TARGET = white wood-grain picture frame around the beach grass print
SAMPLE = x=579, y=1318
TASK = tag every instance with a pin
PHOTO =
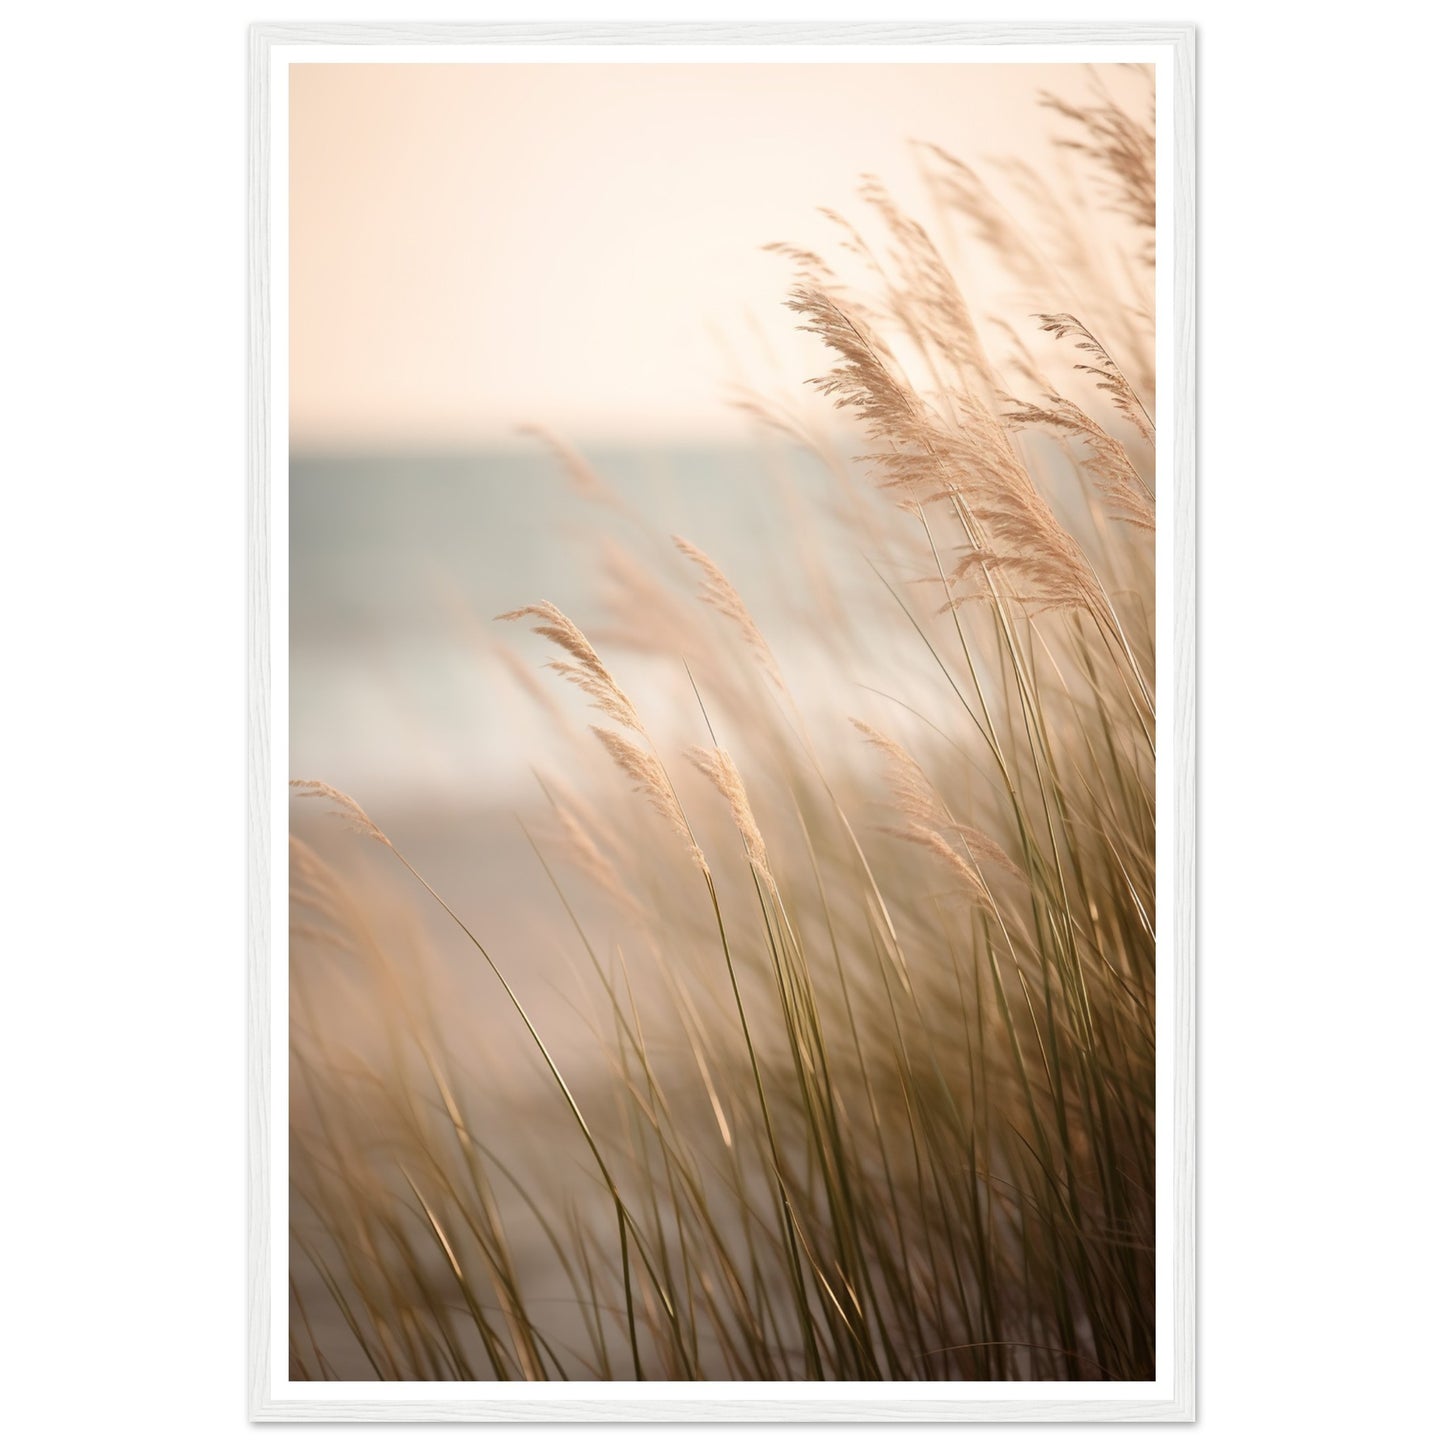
x=729, y=1402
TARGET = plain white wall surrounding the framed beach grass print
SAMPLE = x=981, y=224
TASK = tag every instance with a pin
x=124, y=571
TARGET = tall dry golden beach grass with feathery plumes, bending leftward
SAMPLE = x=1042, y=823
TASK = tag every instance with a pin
x=871, y=1083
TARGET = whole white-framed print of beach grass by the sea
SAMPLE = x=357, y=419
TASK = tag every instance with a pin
x=722, y=723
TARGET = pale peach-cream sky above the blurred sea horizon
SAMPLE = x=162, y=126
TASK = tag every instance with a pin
x=478, y=248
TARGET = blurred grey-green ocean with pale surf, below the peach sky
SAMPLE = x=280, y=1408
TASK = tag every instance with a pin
x=400, y=566
